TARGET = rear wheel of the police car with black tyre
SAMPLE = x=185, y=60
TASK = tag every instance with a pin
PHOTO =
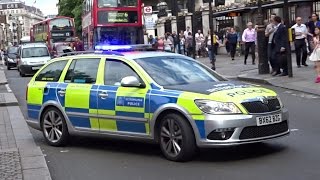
x=54, y=127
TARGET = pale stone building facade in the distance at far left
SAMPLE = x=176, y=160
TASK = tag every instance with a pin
x=17, y=20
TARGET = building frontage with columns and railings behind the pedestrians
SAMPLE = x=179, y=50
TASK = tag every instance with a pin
x=234, y=13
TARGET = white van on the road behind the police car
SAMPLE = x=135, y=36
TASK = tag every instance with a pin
x=31, y=57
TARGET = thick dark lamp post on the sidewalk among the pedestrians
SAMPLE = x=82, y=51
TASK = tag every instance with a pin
x=262, y=46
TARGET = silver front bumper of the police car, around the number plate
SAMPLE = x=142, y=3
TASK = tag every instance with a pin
x=241, y=129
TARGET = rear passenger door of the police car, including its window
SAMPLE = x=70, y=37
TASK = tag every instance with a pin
x=81, y=93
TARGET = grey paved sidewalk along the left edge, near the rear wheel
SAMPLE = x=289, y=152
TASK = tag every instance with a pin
x=20, y=158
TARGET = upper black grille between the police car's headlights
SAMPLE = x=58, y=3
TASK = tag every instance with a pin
x=260, y=107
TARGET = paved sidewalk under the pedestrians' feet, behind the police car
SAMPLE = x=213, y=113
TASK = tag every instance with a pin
x=302, y=80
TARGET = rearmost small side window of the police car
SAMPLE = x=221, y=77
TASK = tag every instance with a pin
x=52, y=72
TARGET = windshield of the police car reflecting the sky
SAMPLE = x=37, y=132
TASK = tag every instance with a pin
x=171, y=71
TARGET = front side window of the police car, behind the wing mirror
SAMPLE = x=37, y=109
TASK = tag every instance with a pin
x=115, y=71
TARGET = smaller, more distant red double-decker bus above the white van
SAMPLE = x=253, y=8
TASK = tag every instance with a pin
x=53, y=30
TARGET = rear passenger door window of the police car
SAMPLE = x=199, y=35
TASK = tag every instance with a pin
x=83, y=71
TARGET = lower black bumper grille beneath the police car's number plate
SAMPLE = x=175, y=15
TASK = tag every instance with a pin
x=263, y=131
